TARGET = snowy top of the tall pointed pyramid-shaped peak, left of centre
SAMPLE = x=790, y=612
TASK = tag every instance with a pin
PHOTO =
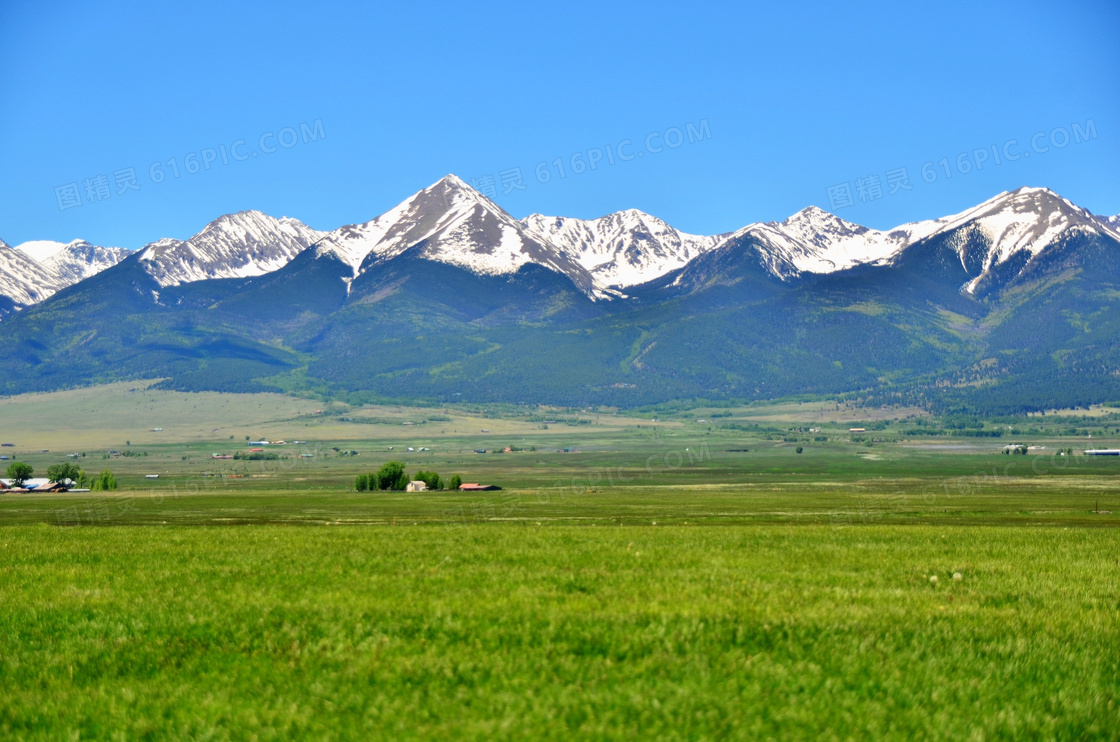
x=453, y=224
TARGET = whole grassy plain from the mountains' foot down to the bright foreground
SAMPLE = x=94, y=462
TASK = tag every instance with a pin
x=669, y=580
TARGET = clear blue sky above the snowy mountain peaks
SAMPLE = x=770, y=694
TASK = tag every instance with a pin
x=340, y=112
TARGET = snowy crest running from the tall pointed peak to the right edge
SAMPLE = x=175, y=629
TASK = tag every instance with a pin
x=453, y=224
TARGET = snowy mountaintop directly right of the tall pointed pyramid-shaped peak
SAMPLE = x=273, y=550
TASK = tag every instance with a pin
x=622, y=249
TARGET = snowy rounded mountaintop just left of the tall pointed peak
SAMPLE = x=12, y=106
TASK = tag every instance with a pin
x=236, y=246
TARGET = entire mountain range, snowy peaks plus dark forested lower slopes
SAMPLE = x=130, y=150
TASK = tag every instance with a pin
x=1006, y=307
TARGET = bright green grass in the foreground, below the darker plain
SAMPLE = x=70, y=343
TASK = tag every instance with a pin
x=503, y=632
